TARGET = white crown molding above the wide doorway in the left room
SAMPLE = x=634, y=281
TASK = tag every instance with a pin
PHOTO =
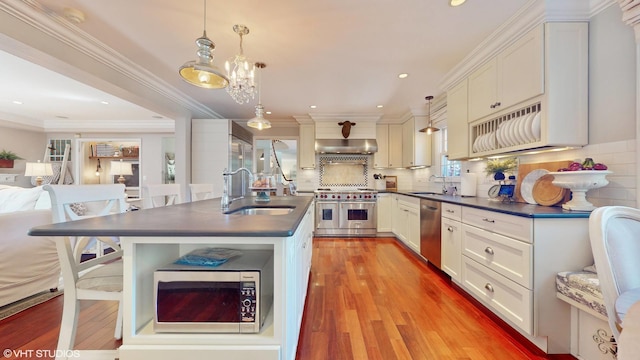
x=111, y=126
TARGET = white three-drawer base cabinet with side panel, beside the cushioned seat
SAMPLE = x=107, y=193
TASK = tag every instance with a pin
x=509, y=264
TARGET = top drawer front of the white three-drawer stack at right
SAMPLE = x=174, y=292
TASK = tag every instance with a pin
x=510, y=225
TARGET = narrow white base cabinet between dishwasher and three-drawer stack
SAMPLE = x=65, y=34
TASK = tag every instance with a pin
x=451, y=234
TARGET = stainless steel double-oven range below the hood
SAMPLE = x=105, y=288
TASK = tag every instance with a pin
x=345, y=212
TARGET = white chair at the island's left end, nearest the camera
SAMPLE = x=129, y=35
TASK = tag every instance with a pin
x=99, y=278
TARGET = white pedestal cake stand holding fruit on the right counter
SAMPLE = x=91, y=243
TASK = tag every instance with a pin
x=579, y=182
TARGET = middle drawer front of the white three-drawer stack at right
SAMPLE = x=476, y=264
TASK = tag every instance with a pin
x=510, y=258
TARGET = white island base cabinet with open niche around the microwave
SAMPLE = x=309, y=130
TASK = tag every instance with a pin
x=276, y=341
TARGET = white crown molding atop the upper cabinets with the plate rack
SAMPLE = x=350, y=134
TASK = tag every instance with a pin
x=534, y=13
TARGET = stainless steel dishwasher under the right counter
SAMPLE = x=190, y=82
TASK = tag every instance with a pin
x=430, y=246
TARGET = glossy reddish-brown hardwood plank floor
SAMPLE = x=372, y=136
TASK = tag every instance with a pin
x=368, y=299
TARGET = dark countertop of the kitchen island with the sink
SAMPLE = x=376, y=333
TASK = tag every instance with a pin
x=199, y=218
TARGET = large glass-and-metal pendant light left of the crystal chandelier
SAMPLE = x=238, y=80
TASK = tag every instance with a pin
x=202, y=72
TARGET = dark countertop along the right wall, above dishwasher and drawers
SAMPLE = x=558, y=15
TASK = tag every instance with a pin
x=511, y=208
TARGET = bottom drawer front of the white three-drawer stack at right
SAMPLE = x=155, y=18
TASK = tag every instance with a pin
x=504, y=297
